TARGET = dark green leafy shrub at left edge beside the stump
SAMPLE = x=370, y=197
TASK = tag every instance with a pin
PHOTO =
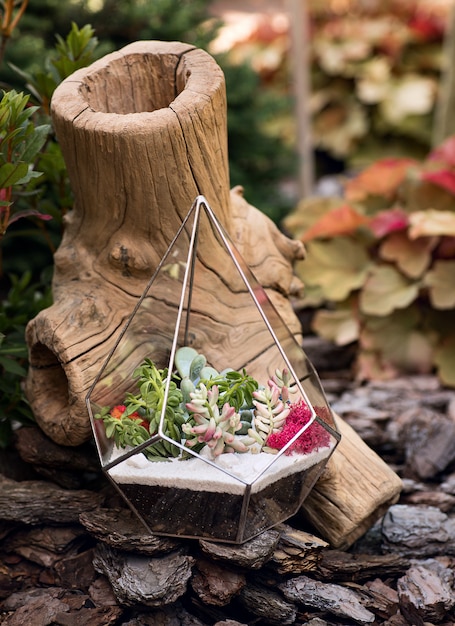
x=34, y=189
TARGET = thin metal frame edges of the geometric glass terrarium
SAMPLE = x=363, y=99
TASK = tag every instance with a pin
x=258, y=296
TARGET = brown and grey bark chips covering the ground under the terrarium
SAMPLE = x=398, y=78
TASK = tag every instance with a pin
x=71, y=553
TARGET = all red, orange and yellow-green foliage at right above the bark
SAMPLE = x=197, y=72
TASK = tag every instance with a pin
x=379, y=221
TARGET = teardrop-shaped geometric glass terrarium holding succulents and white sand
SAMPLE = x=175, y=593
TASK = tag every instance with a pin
x=208, y=416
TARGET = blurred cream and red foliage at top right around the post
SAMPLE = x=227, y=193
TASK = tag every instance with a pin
x=375, y=75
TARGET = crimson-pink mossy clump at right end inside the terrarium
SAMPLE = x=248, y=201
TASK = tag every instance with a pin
x=313, y=438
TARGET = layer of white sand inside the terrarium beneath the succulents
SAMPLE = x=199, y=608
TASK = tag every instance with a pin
x=198, y=475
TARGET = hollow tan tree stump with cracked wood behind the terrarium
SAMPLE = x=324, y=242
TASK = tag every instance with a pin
x=143, y=133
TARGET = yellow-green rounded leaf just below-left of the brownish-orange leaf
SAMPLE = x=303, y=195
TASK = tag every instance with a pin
x=386, y=290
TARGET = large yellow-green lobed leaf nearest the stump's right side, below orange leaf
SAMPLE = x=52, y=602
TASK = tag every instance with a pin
x=337, y=267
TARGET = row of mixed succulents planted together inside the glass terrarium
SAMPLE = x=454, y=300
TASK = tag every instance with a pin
x=226, y=412
